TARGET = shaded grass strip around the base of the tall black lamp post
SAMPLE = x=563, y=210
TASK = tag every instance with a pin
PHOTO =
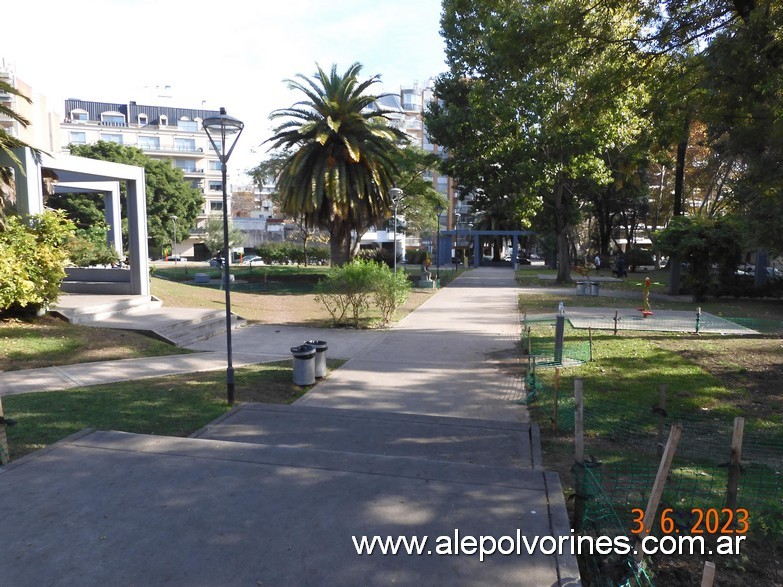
x=176, y=405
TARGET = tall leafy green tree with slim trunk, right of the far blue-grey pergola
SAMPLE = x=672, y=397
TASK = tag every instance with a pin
x=558, y=88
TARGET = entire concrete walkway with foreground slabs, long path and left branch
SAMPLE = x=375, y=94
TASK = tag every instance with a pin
x=417, y=435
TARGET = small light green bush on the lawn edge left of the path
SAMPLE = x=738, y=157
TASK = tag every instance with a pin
x=348, y=290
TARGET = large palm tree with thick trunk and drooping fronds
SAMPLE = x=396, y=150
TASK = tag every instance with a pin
x=341, y=165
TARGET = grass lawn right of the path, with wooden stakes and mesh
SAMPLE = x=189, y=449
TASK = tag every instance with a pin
x=709, y=380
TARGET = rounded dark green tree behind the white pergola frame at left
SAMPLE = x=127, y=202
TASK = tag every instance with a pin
x=168, y=193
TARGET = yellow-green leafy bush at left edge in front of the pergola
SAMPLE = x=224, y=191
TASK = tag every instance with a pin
x=33, y=256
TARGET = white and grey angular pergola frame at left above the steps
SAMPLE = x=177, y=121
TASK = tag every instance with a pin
x=79, y=175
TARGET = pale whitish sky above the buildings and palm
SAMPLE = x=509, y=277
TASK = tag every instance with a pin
x=232, y=53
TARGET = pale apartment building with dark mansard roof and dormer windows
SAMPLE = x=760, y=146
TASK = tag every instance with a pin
x=163, y=132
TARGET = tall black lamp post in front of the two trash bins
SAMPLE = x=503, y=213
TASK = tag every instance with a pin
x=223, y=132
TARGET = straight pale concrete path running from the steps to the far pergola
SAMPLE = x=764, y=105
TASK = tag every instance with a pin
x=456, y=355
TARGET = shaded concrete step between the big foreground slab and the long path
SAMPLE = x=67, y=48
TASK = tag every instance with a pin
x=437, y=438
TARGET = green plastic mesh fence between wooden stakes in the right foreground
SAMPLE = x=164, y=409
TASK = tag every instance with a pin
x=622, y=452
